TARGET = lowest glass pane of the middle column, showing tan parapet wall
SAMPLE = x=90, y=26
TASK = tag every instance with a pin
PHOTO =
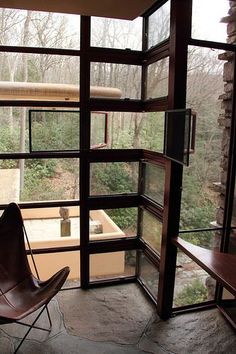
x=112, y=265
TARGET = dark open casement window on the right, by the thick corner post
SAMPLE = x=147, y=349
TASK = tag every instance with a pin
x=180, y=128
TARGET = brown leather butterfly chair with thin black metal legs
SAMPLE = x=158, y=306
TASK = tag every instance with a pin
x=21, y=293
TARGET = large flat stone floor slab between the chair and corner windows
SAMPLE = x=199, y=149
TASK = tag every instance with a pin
x=118, y=314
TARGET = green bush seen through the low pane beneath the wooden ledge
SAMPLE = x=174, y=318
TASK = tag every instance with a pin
x=192, y=293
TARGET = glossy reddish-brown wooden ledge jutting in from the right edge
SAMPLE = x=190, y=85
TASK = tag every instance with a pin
x=221, y=266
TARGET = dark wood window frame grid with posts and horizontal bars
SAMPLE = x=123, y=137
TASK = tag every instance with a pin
x=176, y=48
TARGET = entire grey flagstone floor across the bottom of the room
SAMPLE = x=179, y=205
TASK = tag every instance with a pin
x=119, y=320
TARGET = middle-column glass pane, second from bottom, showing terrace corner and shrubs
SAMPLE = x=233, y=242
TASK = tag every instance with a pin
x=113, y=223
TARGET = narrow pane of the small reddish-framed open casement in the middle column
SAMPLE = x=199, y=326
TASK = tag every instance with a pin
x=98, y=129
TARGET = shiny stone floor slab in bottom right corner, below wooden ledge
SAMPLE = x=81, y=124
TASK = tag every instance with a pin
x=203, y=332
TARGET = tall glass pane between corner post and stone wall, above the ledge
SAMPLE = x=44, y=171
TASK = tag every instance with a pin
x=203, y=180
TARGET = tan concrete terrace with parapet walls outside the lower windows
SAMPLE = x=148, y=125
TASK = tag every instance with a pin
x=101, y=265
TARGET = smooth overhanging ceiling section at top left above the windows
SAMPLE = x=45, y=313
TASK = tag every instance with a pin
x=123, y=9
